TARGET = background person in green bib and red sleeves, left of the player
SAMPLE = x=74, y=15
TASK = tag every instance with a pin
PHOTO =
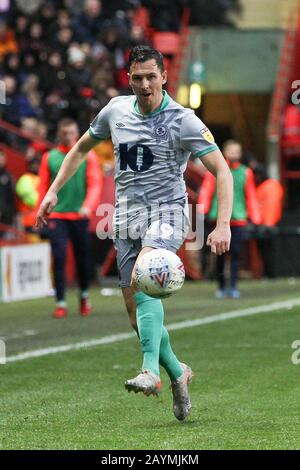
x=70, y=218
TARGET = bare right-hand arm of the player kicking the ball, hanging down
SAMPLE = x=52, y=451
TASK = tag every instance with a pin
x=219, y=238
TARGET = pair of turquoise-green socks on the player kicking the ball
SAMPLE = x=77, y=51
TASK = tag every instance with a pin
x=154, y=337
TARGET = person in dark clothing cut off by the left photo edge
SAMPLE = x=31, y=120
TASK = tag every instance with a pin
x=7, y=197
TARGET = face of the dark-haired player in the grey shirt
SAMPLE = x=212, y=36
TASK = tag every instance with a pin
x=147, y=81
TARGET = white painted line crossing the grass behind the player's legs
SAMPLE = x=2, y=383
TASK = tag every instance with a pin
x=288, y=304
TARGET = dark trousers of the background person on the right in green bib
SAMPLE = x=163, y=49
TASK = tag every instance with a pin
x=237, y=237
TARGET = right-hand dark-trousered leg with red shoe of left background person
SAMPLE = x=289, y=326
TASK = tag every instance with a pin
x=79, y=235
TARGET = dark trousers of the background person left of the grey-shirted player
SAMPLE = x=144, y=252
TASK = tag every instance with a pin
x=60, y=232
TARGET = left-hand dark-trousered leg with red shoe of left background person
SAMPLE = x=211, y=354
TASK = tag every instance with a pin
x=58, y=236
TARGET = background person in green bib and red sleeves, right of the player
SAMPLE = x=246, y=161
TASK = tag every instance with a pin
x=245, y=207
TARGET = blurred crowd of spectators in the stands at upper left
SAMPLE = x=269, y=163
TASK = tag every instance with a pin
x=68, y=58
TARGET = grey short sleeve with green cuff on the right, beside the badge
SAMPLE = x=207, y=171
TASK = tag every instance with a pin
x=195, y=137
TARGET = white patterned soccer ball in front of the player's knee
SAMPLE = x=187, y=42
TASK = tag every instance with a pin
x=159, y=273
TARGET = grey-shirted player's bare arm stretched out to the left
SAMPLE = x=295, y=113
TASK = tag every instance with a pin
x=70, y=164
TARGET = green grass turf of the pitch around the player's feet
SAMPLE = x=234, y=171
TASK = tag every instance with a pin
x=245, y=393
